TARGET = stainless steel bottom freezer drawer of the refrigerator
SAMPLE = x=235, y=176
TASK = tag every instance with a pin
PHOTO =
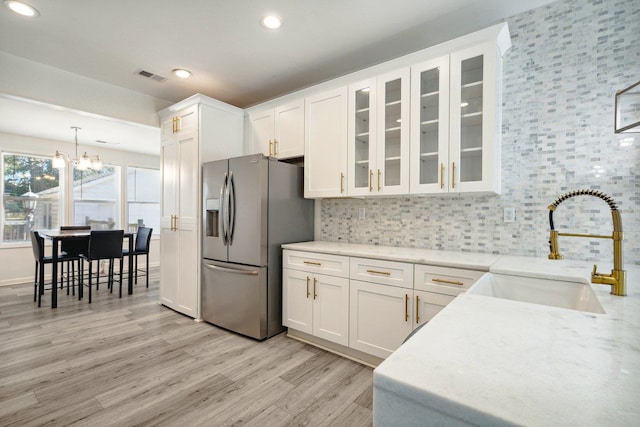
x=234, y=297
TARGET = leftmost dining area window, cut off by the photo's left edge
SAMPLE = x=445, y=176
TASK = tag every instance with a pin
x=31, y=196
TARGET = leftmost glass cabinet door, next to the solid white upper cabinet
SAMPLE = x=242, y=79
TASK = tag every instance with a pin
x=362, y=137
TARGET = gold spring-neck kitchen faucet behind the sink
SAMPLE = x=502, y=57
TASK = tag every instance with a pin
x=617, y=279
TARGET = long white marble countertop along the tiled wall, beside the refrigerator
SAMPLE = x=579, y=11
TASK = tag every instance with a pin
x=469, y=260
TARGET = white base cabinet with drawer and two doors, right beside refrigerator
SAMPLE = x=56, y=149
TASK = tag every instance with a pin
x=314, y=303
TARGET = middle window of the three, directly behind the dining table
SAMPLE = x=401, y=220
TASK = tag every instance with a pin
x=96, y=198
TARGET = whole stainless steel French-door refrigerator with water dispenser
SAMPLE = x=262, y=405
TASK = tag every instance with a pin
x=251, y=206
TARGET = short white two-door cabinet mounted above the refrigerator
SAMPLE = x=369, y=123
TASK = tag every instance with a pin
x=279, y=131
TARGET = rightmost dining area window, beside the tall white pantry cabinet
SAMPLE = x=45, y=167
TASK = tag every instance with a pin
x=143, y=198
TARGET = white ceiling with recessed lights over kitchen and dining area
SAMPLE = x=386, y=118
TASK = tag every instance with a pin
x=231, y=56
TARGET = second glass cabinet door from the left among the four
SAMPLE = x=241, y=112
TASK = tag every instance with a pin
x=392, y=169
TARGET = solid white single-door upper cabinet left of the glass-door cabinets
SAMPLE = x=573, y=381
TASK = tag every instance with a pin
x=325, y=149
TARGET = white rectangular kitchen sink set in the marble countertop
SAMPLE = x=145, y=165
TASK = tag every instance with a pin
x=555, y=293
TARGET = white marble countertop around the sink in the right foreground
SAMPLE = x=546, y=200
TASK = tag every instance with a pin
x=489, y=361
